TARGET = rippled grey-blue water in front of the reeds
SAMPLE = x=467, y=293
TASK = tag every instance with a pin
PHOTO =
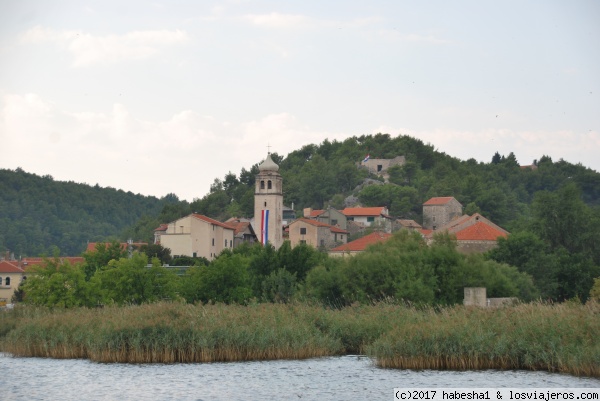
x=334, y=378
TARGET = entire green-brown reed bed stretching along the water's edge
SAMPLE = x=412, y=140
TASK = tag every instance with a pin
x=557, y=338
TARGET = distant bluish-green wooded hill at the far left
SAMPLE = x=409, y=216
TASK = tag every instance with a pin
x=38, y=214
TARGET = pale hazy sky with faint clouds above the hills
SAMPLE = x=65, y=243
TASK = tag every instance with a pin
x=159, y=97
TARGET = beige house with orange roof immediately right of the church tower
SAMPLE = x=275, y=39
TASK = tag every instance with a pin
x=316, y=234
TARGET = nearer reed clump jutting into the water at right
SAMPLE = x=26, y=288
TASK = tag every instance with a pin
x=557, y=338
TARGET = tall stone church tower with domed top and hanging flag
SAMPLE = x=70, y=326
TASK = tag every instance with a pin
x=268, y=203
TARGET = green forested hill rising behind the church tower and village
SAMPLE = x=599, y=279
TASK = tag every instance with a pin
x=326, y=174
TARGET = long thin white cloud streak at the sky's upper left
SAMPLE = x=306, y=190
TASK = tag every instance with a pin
x=88, y=49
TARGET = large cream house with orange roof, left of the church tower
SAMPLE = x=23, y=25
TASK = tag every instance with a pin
x=198, y=236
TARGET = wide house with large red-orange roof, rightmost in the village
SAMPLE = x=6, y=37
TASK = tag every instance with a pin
x=473, y=233
